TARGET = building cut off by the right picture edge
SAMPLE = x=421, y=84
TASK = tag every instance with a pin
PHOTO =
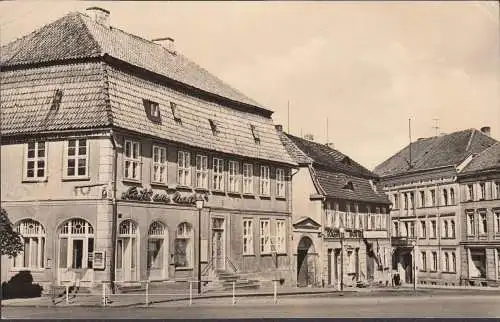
x=480, y=218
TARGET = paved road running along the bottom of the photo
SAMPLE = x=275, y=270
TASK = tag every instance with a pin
x=305, y=307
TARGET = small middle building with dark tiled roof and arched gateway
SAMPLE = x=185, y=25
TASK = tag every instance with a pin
x=339, y=218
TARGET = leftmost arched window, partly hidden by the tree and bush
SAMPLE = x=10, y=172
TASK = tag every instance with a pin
x=33, y=238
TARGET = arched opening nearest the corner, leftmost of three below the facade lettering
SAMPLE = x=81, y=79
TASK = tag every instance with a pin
x=126, y=251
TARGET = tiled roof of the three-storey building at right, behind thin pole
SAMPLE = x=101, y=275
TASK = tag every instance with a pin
x=434, y=152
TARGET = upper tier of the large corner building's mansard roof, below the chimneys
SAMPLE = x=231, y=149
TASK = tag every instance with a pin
x=76, y=35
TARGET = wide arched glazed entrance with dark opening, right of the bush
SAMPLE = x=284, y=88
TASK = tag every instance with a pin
x=75, y=253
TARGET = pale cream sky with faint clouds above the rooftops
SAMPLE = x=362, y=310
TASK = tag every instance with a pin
x=363, y=68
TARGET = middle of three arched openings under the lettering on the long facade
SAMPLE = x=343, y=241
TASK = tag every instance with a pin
x=157, y=250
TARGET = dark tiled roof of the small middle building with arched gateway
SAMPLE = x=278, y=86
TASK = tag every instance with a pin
x=332, y=170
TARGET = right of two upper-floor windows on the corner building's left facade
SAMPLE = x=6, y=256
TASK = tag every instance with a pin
x=76, y=158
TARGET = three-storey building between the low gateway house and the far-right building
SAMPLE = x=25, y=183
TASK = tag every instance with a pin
x=421, y=181
